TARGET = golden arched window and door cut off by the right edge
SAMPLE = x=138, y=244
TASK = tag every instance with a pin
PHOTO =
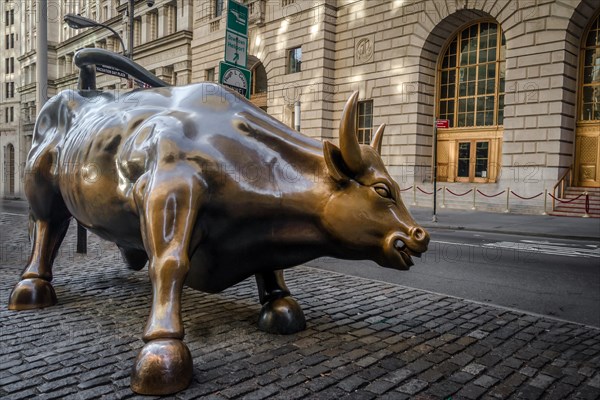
x=587, y=141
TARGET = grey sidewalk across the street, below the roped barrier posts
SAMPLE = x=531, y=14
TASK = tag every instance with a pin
x=515, y=224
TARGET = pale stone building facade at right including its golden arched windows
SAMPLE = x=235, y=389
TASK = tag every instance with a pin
x=508, y=75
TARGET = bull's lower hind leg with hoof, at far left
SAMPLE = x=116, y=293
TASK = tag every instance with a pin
x=50, y=223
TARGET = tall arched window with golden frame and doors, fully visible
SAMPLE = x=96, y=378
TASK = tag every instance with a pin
x=471, y=97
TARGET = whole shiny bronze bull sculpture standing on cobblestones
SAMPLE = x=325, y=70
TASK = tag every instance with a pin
x=210, y=190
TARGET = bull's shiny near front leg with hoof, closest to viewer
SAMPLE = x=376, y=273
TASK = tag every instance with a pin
x=169, y=205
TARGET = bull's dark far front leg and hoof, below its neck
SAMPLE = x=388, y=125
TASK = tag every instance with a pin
x=280, y=312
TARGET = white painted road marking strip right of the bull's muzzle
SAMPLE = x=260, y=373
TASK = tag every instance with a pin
x=559, y=249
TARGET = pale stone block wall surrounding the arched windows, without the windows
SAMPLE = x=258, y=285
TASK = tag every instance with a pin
x=407, y=38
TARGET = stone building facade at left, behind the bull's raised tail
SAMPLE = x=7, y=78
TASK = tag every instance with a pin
x=162, y=39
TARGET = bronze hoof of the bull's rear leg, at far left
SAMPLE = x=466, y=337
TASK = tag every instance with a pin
x=32, y=293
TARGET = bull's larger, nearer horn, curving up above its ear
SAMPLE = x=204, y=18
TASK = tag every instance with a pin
x=348, y=140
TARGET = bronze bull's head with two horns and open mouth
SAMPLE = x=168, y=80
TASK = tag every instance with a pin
x=365, y=213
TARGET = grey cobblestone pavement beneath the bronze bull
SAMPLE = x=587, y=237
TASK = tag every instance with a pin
x=365, y=339
